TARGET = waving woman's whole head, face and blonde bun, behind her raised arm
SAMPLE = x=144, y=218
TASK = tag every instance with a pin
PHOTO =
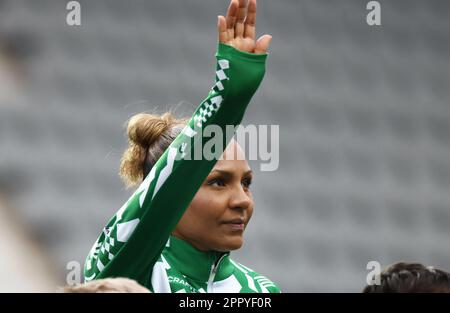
x=221, y=209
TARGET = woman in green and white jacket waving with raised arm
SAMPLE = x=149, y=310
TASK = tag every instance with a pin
x=176, y=231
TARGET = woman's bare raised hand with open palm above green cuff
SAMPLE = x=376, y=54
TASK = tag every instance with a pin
x=238, y=28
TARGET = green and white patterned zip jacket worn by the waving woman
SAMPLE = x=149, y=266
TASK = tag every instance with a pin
x=137, y=242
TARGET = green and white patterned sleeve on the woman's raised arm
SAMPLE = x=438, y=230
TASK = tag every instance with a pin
x=135, y=236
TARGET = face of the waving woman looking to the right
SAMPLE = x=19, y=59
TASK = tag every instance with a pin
x=220, y=211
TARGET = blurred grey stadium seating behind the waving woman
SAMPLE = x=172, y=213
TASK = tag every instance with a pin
x=364, y=115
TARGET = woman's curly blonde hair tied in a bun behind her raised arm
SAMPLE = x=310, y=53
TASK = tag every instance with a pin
x=149, y=135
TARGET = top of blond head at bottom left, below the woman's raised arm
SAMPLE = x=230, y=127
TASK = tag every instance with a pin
x=108, y=285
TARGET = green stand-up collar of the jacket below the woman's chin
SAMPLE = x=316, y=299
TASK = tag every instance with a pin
x=197, y=264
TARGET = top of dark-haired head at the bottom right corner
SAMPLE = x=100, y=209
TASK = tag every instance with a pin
x=411, y=278
